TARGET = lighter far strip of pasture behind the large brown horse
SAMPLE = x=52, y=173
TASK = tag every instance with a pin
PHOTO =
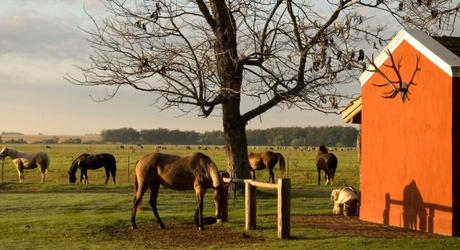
x=300, y=163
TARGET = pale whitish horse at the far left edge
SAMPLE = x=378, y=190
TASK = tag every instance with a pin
x=26, y=161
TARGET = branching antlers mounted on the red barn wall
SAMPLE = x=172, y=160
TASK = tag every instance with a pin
x=398, y=85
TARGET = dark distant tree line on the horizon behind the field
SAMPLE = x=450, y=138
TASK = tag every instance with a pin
x=291, y=136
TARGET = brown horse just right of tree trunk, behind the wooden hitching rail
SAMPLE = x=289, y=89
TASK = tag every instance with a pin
x=267, y=159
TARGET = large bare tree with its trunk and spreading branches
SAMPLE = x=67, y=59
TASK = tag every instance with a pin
x=199, y=55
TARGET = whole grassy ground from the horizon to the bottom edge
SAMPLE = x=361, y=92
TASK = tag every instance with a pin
x=58, y=215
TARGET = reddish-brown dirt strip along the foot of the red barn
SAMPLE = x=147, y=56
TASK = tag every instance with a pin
x=353, y=227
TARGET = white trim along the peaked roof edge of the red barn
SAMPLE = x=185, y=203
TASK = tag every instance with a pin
x=428, y=46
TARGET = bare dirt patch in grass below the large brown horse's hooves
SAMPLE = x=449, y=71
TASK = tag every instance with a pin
x=183, y=235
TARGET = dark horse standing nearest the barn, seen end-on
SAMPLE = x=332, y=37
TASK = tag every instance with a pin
x=328, y=162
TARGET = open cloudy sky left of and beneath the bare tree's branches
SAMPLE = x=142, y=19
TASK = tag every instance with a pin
x=40, y=41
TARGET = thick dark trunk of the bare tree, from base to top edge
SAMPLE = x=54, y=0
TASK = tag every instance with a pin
x=230, y=73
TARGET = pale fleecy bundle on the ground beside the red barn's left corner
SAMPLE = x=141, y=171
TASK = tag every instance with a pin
x=346, y=201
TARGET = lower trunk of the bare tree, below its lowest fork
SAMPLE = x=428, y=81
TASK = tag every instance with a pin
x=235, y=139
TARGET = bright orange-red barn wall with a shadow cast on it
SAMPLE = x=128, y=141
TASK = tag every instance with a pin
x=406, y=165
